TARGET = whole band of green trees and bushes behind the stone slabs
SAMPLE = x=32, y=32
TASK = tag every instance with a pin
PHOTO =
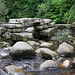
x=60, y=11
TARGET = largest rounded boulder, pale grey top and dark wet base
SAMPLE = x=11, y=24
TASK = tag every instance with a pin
x=22, y=49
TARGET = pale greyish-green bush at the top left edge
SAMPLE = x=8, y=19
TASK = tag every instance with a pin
x=3, y=10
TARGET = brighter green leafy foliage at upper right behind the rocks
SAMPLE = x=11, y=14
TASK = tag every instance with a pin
x=57, y=10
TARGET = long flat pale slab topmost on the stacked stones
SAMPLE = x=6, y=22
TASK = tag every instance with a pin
x=26, y=21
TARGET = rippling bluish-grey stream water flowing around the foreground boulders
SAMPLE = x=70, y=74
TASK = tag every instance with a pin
x=32, y=66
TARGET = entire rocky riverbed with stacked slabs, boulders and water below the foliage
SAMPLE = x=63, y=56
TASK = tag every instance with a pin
x=37, y=47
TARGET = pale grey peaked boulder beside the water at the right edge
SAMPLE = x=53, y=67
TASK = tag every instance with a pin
x=65, y=49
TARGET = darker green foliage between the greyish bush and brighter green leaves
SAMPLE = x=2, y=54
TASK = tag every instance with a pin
x=22, y=8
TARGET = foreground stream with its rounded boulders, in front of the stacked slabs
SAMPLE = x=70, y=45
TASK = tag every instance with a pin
x=45, y=61
